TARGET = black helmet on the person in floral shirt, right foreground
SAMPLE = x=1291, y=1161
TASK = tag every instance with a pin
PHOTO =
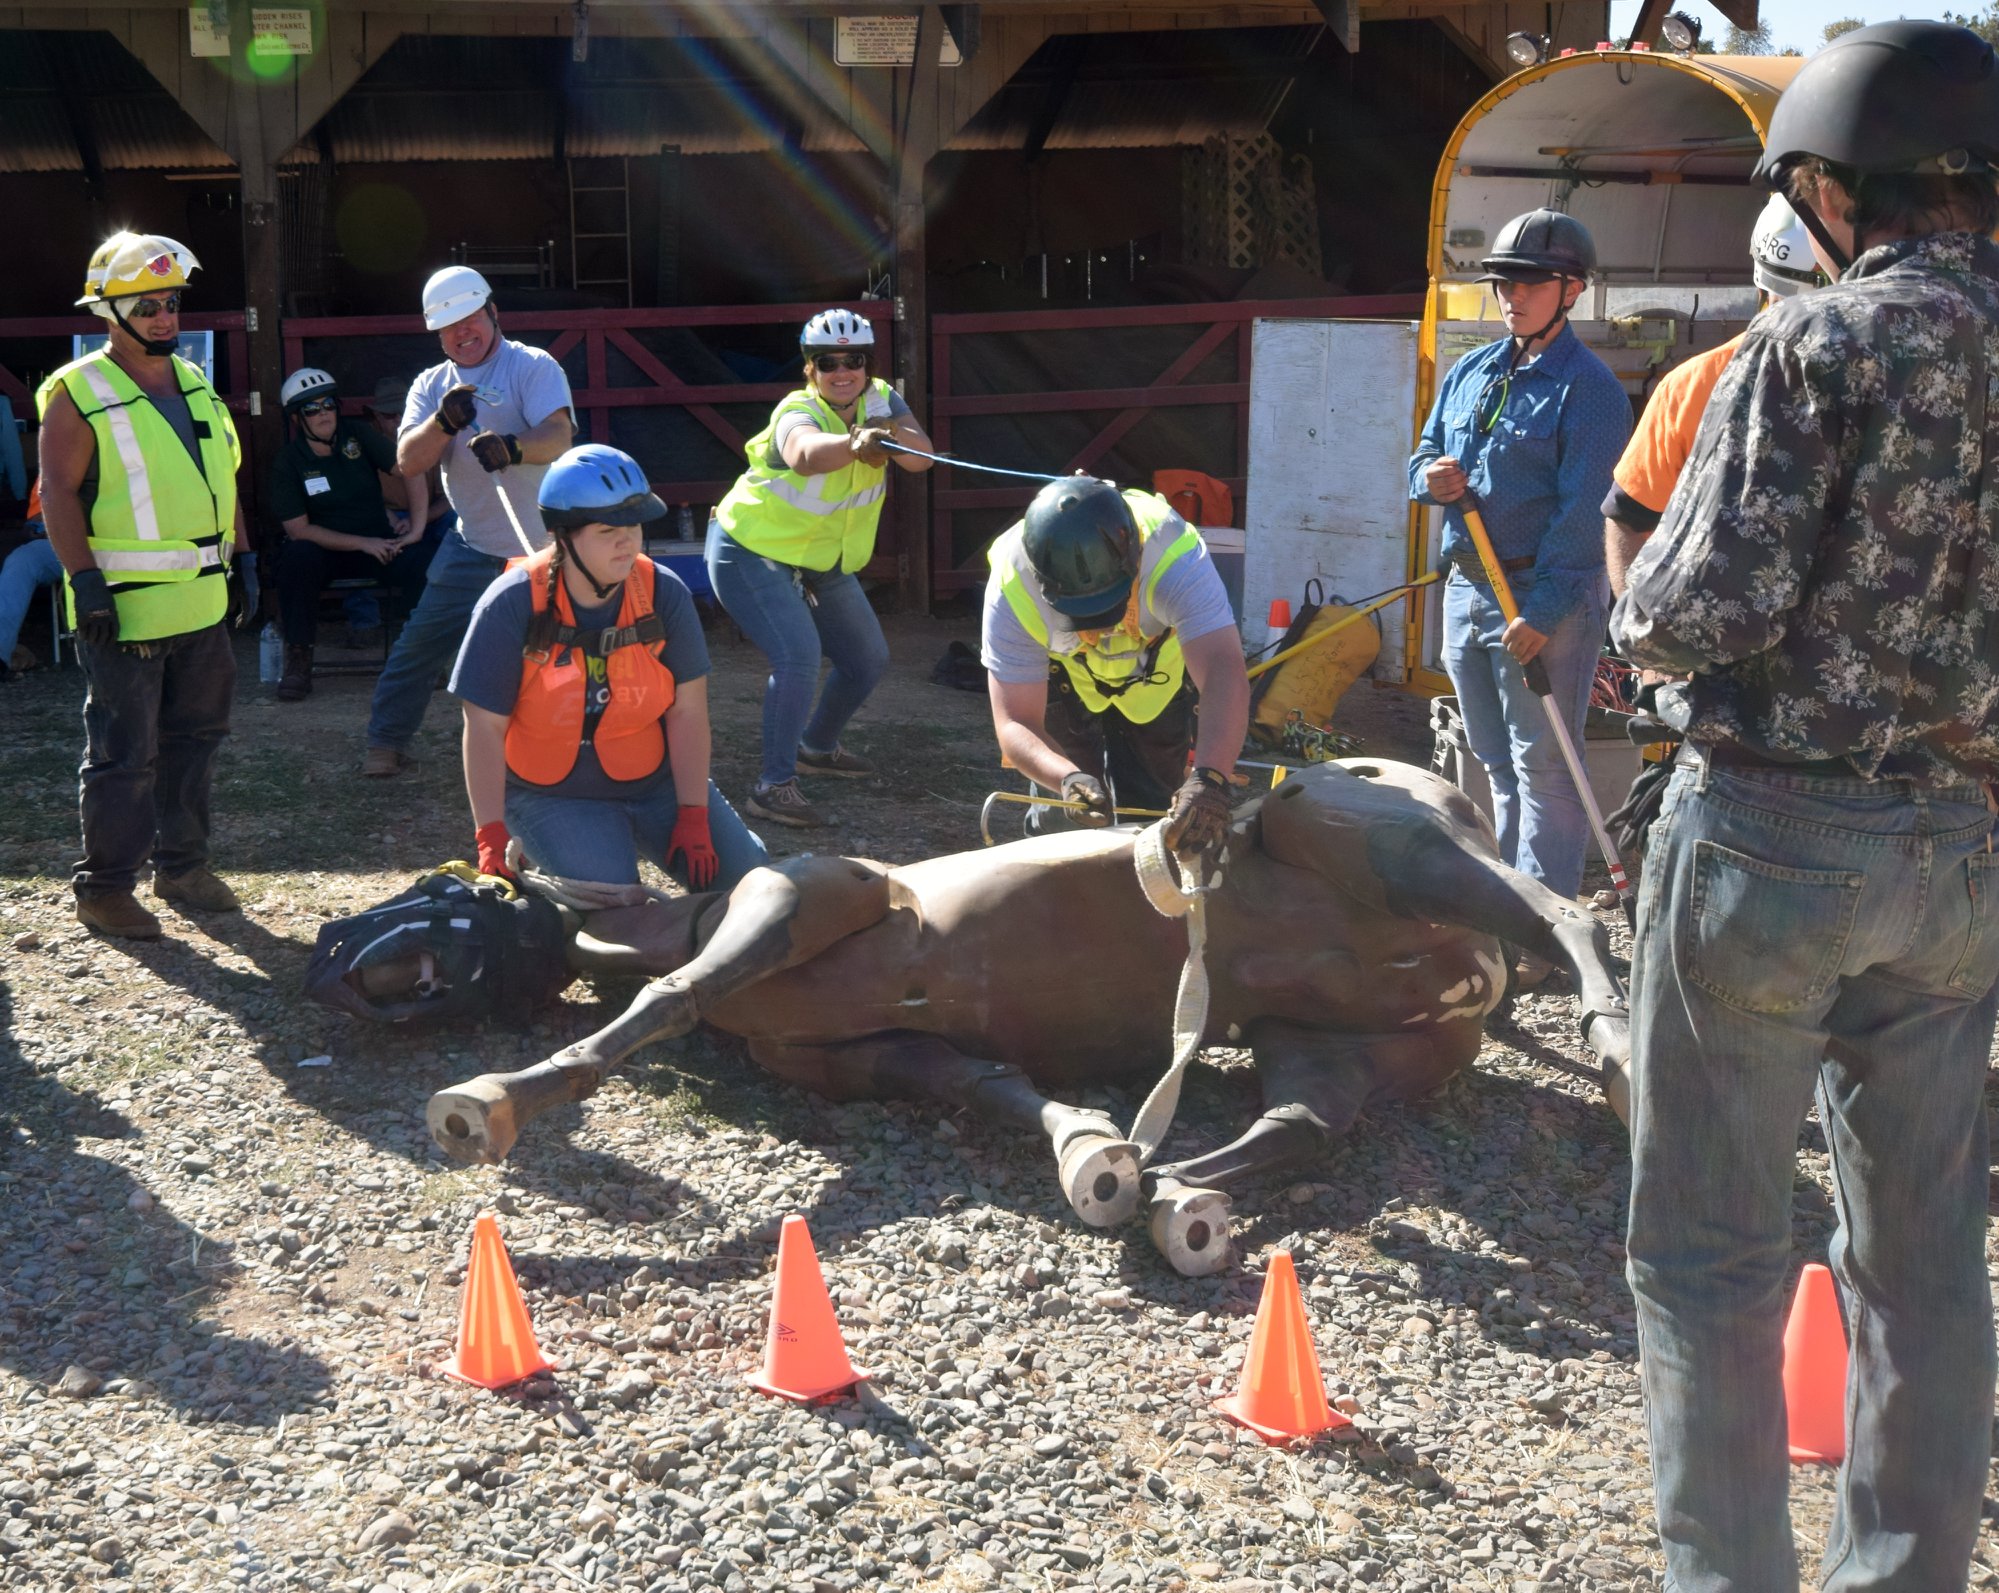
x=1898, y=97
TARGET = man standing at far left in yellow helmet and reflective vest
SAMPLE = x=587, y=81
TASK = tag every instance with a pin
x=139, y=493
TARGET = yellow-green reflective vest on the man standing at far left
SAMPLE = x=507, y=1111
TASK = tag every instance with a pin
x=161, y=527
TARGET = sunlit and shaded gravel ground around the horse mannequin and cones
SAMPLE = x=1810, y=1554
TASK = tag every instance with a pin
x=233, y=1262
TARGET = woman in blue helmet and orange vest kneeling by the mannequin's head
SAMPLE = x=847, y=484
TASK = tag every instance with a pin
x=585, y=687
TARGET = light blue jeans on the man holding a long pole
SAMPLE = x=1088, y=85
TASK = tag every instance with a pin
x=1536, y=810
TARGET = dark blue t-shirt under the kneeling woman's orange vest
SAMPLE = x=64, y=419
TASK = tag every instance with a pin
x=489, y=667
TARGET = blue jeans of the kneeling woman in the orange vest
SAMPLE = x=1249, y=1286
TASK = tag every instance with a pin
x=589, y=838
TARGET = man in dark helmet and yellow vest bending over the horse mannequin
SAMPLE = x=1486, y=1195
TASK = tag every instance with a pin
x=1104, y=621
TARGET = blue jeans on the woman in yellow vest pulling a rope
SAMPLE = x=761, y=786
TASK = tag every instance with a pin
x=771, y=603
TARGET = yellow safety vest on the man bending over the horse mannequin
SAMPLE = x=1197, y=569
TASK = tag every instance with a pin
x=1134, y=667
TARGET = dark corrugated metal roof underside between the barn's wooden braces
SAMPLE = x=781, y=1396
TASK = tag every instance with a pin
x=1128, y=91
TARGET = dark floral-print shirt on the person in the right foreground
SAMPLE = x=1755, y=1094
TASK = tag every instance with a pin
x=1828, y=567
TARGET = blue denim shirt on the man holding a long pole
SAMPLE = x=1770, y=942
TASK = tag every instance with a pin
x=1540, y=469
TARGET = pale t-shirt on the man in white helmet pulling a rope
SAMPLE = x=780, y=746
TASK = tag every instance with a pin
x=519, y=389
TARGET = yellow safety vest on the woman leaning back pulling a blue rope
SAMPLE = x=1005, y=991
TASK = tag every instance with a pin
x=811, y=523
